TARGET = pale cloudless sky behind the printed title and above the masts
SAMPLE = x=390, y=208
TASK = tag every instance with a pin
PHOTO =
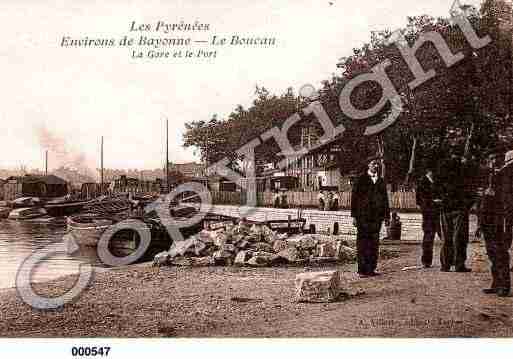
x=64, y=99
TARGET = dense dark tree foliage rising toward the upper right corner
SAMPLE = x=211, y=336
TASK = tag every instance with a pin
x=473, y=93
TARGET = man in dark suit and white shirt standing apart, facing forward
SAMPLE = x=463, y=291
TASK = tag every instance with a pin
x=369, y=208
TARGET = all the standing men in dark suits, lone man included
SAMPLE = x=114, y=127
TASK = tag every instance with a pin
x=446, y=200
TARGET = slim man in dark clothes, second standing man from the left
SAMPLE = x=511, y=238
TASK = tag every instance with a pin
x=428, y=196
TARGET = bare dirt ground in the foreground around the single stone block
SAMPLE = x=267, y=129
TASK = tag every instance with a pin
x=234, y=302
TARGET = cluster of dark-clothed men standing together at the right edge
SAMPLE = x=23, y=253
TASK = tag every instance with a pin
x=446, y=201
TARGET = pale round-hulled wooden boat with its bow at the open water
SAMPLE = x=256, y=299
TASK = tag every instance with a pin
x=87, y=229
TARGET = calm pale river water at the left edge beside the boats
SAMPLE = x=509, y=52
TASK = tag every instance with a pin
x=20, y=239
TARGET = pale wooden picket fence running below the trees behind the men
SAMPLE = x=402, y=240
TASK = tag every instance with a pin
x=398, y=200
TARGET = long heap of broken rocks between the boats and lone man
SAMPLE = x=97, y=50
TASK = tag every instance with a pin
x=256, y=246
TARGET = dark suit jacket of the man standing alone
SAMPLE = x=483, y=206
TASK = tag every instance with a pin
x=369, y=201
